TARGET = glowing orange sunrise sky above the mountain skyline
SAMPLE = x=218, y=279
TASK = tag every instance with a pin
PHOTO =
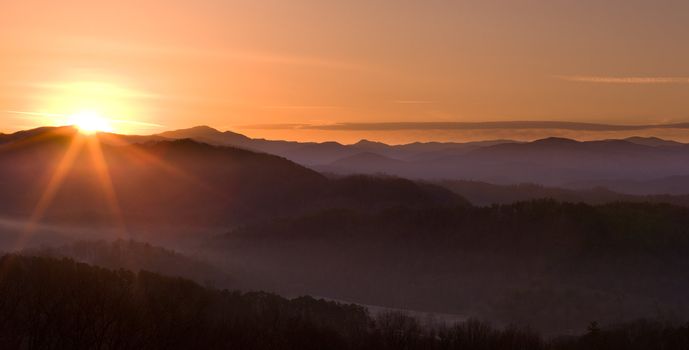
x=293, y=69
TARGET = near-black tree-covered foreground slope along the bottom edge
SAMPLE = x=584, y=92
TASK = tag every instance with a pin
x=60, y=304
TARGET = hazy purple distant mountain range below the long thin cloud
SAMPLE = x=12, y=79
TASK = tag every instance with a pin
x=634, y=165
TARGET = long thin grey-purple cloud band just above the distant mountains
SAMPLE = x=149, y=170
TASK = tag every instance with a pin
x=511, y=125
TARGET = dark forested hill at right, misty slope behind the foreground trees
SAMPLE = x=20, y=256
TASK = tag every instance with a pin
x=544, y=263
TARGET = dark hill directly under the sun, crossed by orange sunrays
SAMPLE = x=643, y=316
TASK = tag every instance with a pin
x=57, y=175
